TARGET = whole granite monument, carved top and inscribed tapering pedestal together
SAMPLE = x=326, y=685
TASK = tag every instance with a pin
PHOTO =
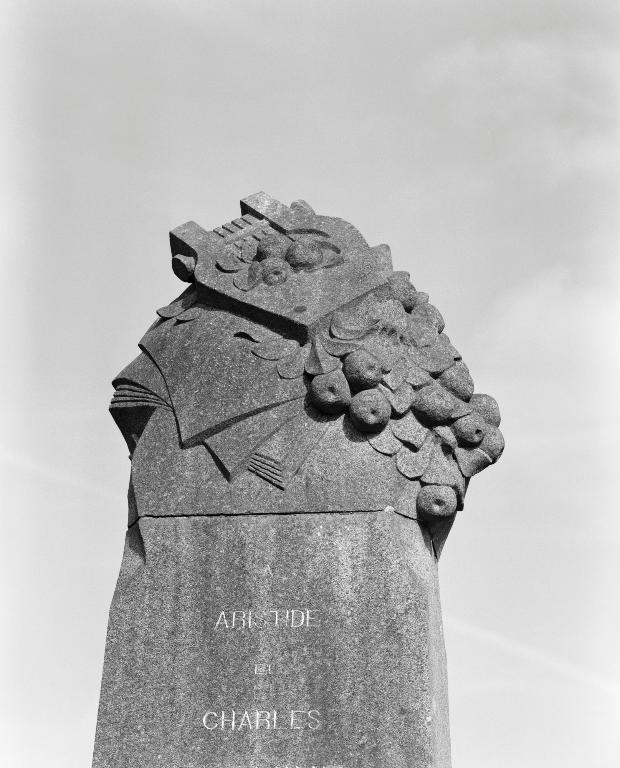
x=302, y=433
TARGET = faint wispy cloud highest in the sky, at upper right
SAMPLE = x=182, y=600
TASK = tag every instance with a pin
x=546, y=105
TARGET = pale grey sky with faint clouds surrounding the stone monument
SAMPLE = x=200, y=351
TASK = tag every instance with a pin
x=481, y=141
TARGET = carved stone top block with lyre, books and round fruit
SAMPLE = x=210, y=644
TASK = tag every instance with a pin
x=299, y=373
